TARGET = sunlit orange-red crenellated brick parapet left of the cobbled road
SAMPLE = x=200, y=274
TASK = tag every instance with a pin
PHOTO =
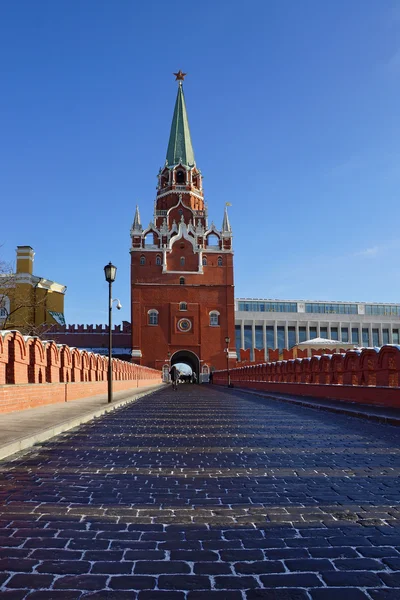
x=33, y=372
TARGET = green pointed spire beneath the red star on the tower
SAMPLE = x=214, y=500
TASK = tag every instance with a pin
x=180, y=147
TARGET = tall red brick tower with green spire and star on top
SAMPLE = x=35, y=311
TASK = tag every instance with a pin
x=182, y=268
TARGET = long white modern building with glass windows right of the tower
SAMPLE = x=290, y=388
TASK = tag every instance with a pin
x=271, y=324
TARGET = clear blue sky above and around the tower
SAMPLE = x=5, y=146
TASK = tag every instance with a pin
x=294, y=114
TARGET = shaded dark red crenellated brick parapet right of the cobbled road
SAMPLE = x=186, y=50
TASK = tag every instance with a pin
x=369, y=375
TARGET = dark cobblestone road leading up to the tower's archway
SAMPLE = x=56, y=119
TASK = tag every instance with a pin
x=204, y=494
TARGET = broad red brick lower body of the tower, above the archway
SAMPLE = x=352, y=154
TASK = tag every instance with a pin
x=203, y=293
